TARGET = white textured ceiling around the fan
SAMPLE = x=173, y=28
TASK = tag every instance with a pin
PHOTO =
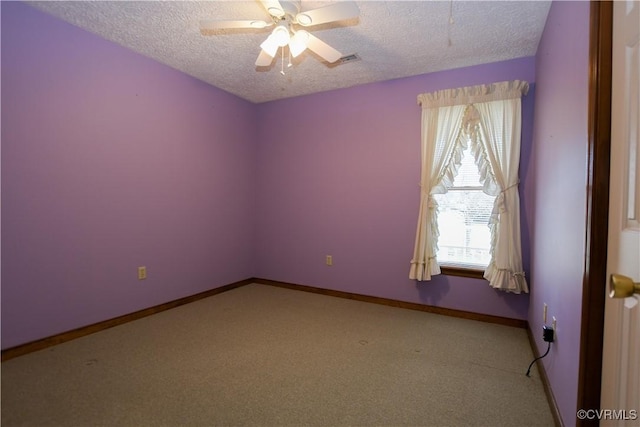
x=393, y=39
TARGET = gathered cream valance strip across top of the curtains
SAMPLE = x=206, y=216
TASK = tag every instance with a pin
x=474, y=94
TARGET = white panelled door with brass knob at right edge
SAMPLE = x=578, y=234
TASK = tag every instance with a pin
x=620, y=396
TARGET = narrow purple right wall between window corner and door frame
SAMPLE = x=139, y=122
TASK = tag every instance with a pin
x=560, y=159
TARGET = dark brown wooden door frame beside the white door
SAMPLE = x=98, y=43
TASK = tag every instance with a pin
x=597, y=218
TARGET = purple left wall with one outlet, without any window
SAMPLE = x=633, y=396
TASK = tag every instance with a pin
x=111, y=161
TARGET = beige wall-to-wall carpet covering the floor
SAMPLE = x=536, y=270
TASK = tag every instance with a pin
x=261, y=355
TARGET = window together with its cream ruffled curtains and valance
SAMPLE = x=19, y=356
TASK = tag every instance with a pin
x=458, y=225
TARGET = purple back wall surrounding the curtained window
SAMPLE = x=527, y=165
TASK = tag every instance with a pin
x=339, y=174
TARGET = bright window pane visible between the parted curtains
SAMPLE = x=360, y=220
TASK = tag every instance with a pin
x=463, y=220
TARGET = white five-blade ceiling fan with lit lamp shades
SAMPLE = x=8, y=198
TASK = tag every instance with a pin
x=287, y=18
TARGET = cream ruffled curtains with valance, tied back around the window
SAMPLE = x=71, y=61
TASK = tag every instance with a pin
x=490, y=117
